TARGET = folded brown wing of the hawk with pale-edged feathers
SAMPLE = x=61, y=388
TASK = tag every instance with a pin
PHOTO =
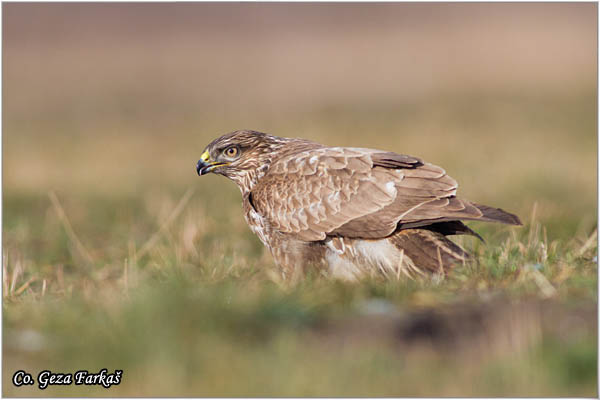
x=356, y=193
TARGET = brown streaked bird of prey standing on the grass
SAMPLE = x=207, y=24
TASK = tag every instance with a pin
x=351, y=212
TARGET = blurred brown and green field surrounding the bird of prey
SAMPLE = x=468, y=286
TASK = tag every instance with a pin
x=116, y=255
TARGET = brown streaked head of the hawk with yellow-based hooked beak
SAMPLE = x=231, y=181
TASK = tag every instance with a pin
x=243, y=156
